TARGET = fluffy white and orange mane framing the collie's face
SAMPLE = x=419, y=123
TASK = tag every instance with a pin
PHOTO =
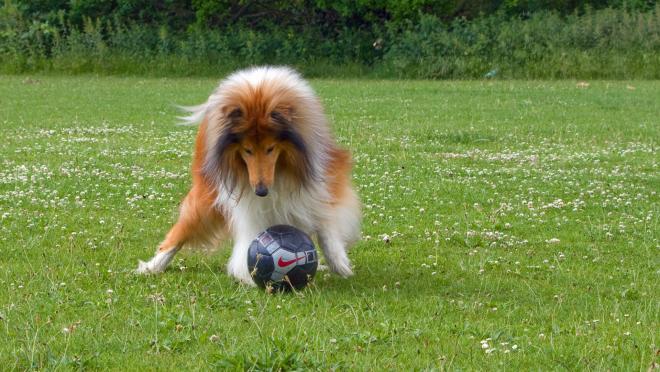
x=273, y=90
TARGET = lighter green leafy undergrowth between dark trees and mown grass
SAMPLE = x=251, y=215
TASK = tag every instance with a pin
x=606, y=43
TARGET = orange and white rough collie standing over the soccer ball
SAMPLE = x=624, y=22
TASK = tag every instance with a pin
x=264, y=155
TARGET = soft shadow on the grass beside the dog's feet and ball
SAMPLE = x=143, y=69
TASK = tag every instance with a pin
x=389, y=270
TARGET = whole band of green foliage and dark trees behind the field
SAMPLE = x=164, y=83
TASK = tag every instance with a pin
x=385, y=39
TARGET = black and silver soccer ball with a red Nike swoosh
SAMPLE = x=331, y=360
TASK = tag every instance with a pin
x=281, y=258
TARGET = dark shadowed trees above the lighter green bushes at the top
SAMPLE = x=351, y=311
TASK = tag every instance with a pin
x=327, y=15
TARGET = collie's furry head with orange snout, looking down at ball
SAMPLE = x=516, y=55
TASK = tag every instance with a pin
x=259, y=136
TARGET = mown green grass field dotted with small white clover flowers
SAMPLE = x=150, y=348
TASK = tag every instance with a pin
x=522, y=219
